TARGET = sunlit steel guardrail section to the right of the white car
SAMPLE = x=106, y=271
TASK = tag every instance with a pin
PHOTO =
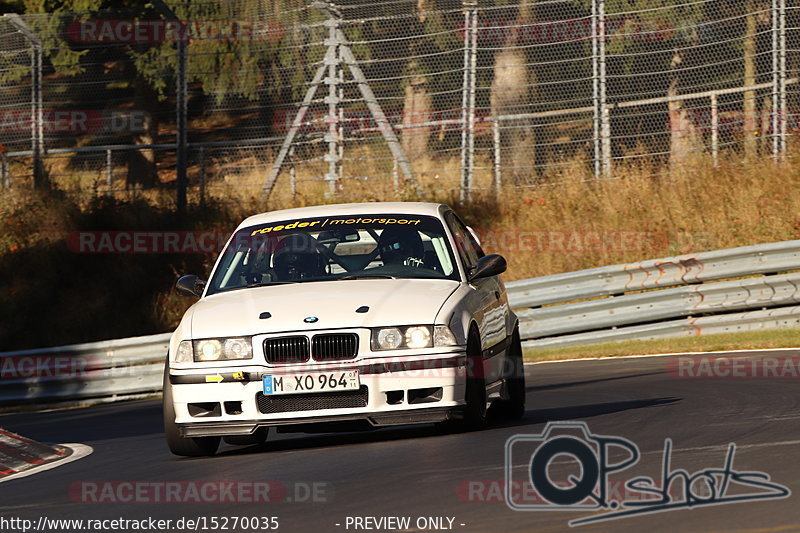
x=674, y=296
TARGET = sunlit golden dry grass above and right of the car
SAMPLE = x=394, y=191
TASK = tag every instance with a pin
x=570, y=221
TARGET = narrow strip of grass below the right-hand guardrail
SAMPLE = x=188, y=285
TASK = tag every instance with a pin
x=756, y=340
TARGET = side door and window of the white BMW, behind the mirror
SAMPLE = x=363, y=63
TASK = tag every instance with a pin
x=486, y=301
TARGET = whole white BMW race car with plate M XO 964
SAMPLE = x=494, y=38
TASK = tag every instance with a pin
x=343, y=317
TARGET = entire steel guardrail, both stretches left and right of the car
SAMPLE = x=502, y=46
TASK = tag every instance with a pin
x=676, y=296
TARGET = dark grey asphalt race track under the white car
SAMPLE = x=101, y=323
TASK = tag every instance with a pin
x=422, y=472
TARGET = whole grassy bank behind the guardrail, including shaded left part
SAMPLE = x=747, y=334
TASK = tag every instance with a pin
x=568, y=222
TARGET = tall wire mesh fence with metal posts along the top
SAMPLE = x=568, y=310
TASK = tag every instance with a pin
x=435, y=94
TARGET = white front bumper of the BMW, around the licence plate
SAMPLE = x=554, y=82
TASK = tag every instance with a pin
x=415, y=389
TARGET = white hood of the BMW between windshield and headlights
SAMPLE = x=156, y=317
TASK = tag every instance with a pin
x=333, y=303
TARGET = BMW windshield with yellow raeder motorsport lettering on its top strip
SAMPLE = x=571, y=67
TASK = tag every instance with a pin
x=333, y=248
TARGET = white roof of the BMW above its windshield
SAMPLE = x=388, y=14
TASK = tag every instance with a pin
x=367, y=208
